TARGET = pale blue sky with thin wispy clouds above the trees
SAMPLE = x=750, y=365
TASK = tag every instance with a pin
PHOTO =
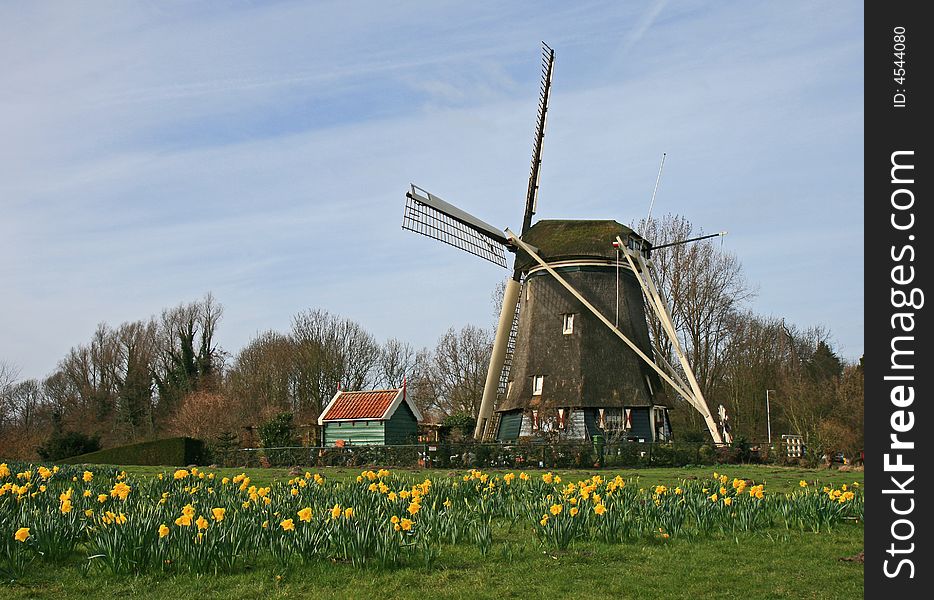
x=154, y=151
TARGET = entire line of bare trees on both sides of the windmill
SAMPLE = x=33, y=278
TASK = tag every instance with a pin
x=168, y=375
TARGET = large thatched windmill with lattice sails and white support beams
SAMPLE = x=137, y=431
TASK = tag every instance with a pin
x=560, y=365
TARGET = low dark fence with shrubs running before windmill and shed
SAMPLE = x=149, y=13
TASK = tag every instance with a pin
x=448, y=455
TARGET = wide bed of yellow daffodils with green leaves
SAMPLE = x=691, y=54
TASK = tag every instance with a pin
x=198, y=521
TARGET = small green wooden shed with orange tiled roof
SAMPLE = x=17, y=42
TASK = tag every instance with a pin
x=368, y=418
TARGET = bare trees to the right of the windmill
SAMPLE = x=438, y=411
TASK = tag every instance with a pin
x=739, y=355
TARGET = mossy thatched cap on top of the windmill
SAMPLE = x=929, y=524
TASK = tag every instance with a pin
x=570, y=239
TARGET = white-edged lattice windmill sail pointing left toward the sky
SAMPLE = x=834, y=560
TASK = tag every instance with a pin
x=431, y=216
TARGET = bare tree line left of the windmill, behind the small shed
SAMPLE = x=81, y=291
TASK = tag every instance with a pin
x=167, y=375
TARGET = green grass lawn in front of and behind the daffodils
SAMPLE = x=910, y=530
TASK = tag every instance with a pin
x=774, y=563
